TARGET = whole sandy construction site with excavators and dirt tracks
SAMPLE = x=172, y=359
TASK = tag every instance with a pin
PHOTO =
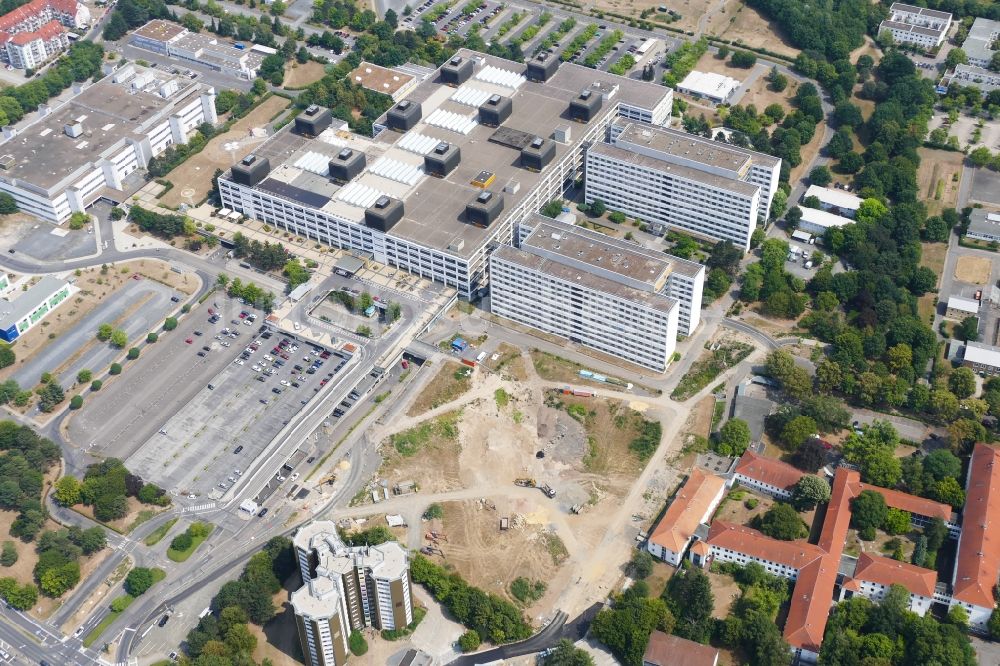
x=513, y=480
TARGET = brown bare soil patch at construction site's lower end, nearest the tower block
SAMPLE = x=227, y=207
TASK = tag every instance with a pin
x=492, y=559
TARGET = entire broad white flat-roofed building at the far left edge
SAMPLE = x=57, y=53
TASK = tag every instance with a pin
x=89, y=146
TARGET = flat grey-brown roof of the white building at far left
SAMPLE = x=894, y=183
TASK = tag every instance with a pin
x=43, y=156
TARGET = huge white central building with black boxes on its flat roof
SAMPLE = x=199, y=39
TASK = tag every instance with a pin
x=411, y=195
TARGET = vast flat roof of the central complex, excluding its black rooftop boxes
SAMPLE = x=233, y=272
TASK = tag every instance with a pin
x=434, y=207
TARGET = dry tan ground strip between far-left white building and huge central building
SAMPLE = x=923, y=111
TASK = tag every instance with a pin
x=193, y=179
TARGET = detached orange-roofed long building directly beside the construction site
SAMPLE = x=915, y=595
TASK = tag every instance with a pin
x=693, y=505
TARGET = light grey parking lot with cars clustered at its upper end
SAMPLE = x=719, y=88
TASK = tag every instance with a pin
x=203, y=449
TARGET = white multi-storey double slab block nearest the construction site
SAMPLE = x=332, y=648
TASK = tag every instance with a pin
x=595, y=290
